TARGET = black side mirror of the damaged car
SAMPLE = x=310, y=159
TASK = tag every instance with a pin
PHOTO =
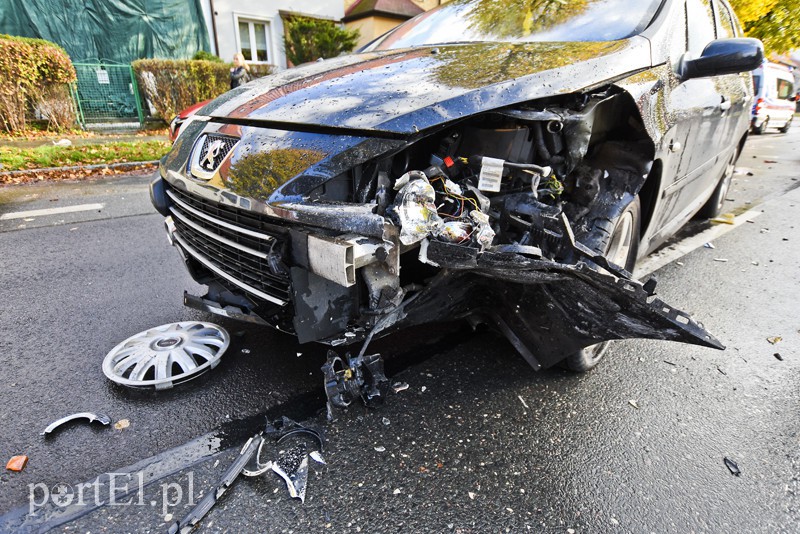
x=725, y=56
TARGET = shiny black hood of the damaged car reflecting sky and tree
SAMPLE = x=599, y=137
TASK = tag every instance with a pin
x=407, y=91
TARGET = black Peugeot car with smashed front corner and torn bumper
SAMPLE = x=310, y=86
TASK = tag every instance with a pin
x=503, y=162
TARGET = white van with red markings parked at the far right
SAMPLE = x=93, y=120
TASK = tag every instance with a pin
x=775, y=98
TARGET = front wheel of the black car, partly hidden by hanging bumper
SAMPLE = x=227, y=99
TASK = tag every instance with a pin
x=604, y=238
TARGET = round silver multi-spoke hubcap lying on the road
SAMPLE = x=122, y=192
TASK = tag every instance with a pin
x=166, y=355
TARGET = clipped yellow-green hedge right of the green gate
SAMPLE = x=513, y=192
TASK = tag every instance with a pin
x=172, y=85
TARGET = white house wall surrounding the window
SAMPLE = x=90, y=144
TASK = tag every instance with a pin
x=227, y=13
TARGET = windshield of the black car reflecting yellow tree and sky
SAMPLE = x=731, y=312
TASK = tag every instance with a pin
x=464, y=21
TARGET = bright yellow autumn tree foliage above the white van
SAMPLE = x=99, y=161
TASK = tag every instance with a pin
x=775, y=22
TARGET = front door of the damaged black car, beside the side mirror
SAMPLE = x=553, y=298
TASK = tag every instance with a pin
x=700, y=107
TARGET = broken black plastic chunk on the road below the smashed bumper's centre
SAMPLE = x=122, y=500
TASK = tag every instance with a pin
x=349, y=378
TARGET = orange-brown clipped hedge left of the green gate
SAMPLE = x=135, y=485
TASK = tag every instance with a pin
x=34, y=73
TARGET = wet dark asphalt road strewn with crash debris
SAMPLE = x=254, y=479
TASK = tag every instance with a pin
x=478, y=442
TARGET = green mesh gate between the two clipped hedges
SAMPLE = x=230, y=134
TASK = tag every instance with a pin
x=107, y=93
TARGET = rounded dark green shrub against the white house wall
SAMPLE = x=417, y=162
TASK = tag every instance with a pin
x=308, y=39
